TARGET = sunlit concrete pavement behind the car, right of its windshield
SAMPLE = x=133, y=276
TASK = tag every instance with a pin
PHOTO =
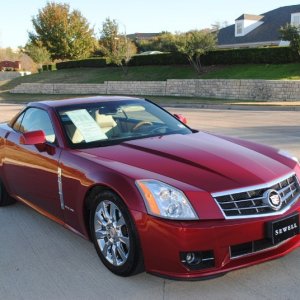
x=280, y=129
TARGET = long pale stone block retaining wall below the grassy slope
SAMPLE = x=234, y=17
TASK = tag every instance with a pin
x=273, y=90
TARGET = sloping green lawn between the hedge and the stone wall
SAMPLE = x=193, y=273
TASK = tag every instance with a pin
x=99, y=75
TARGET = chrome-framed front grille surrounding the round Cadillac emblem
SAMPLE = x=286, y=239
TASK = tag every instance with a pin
x=249, y=202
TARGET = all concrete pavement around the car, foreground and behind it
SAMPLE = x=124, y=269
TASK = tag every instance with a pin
x=41, y=260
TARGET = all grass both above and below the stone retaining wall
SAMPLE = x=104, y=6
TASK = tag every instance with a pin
x=149, y=73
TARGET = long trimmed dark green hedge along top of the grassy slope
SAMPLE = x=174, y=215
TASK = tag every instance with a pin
x=275, y=55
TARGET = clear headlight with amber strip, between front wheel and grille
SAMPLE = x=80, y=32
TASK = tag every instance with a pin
x=165, y=201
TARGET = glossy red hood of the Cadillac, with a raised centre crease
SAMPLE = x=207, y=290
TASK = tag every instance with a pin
x=200, y=159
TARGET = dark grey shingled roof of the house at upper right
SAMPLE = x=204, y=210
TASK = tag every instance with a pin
x=268, y=31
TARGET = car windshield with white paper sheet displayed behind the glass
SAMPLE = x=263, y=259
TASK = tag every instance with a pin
x=106, y=123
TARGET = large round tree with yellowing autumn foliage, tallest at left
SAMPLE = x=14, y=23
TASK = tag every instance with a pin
x=64, y=33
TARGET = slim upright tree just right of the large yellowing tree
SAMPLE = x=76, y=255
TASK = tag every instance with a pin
x=116, y=47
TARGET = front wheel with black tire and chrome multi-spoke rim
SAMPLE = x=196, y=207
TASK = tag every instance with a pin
x=114, y=235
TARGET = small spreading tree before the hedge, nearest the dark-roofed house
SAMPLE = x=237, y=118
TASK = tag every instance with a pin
x=195, y=43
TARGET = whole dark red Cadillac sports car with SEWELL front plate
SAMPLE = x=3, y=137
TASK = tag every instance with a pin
x=150, y=192
